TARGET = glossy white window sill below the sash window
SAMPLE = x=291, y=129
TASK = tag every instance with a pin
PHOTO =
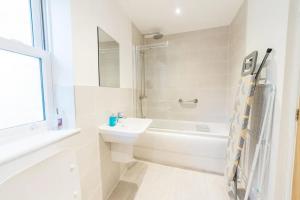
x=16, y=149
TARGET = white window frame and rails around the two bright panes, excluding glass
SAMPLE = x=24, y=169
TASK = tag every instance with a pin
x=37, y=50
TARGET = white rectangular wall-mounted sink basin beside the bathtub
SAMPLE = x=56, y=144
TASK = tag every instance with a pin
x=126, y=131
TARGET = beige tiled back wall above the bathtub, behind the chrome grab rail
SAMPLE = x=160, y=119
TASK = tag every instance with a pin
x=194, y=65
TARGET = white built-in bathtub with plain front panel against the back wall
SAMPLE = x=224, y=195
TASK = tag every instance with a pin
x=193, y=145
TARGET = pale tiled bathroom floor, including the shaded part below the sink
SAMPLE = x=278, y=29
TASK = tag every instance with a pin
x=149, y=181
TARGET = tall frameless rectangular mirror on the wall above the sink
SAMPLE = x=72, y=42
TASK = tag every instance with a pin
x=108, y=60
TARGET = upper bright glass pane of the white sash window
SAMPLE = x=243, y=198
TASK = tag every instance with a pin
x=15, y=20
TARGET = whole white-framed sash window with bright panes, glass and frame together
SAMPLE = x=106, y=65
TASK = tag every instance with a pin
x=23, y=64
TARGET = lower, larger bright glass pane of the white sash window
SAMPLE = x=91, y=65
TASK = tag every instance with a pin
x=21, y=90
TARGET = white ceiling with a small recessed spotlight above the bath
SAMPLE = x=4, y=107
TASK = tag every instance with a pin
x=159, y=15
